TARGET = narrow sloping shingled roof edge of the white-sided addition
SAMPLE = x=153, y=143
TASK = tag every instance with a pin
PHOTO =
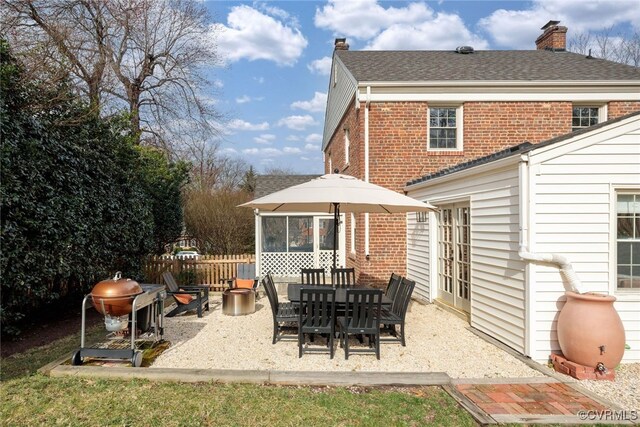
x=516, y=150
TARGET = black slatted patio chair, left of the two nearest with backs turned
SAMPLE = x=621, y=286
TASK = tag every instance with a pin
x=317, y=316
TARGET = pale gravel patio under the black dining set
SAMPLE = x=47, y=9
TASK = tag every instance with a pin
x=437, y=341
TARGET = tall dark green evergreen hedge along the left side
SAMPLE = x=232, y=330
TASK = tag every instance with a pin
x=80, y=200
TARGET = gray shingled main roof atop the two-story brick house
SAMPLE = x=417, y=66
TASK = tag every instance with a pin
x=488, y=65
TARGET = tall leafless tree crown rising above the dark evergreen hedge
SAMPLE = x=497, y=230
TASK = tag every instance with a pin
x=144, y=55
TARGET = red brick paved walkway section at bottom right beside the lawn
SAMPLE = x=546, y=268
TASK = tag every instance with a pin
x=528, y=399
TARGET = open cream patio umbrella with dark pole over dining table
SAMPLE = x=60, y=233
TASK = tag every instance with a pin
x=333, y=193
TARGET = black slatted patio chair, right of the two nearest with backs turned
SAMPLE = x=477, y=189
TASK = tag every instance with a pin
x=362, y=318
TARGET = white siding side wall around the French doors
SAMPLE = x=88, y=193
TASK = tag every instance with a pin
x=497, y=272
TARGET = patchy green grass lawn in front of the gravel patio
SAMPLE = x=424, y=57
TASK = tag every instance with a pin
x=28, y=398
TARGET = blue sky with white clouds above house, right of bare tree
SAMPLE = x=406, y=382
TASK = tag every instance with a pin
x=275, y=57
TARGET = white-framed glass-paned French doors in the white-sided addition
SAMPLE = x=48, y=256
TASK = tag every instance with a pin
x=454, y=256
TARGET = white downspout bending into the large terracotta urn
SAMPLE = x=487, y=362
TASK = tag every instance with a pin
x=571, y=281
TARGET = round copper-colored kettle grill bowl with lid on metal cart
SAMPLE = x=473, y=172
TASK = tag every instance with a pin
x=113, y=297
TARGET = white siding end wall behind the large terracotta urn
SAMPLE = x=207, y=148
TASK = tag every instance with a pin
x=573, y=215
